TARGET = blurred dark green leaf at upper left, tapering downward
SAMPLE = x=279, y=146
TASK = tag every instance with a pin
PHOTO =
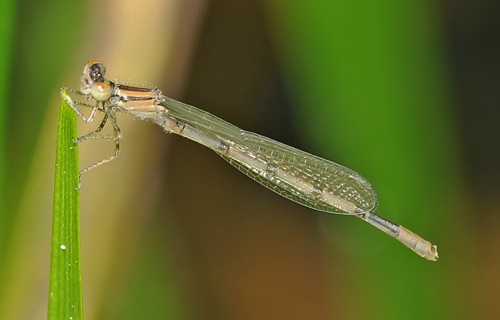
x=41, y=26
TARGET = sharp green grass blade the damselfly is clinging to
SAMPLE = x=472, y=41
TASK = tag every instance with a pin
x=65, y=294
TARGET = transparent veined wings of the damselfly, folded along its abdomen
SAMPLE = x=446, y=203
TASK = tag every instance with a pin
x=294, y=174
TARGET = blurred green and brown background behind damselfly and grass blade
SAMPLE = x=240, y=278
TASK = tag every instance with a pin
x=405, y=93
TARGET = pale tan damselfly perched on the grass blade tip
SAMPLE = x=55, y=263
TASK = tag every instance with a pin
x=294, y=174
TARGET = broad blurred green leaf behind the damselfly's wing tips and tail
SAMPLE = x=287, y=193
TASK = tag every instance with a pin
x=368, y=81
